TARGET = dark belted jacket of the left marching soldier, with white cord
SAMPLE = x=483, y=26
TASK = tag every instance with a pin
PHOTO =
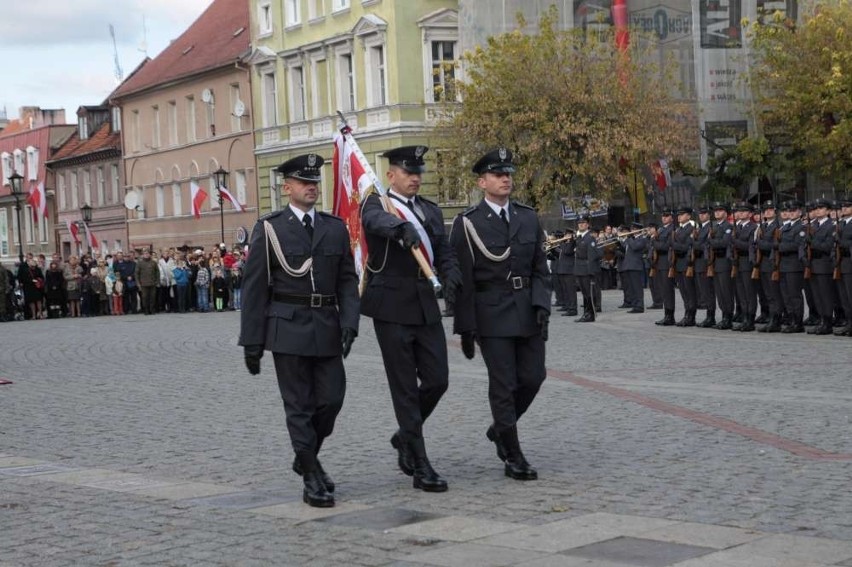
x=299, y=329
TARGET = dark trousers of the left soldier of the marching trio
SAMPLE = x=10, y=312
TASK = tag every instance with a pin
x=312, y=388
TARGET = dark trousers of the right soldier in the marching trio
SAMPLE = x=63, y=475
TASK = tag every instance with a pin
x=515, y=373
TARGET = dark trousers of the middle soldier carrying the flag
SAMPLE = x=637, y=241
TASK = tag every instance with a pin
x=415, y=359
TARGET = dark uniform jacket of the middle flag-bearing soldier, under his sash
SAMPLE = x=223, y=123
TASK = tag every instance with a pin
x=396, y=291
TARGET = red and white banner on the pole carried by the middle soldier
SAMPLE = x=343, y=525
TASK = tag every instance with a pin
x=351, y=184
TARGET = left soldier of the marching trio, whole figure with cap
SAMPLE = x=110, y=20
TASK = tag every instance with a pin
x=300, y=301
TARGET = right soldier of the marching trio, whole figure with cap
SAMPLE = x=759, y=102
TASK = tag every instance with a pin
x=504, y=302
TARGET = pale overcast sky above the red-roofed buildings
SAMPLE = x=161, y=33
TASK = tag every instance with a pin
x=59, y=54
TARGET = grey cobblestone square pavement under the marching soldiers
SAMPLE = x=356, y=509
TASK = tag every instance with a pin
x=143, y=441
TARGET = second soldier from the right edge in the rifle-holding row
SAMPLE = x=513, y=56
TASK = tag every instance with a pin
x=821, y=242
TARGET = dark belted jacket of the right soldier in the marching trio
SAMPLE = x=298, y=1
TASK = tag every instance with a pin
x=496, y=309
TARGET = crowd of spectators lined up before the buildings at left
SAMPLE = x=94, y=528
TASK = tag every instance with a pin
x=168, y=281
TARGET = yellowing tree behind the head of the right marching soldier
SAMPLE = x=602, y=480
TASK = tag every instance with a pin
x=577, y=111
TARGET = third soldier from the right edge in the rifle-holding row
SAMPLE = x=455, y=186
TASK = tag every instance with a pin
x=791, y=249
